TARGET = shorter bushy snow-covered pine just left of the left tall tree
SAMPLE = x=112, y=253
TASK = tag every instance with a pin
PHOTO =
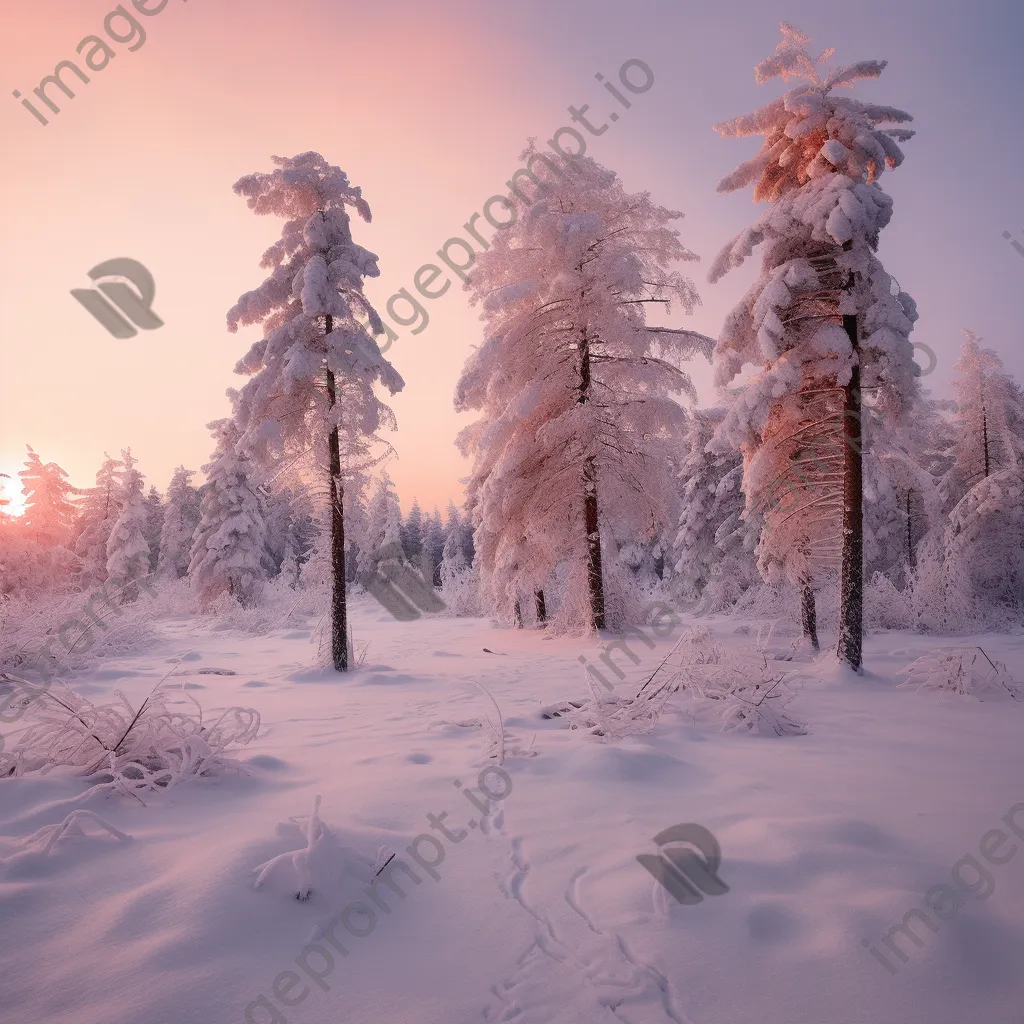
x=230, y=552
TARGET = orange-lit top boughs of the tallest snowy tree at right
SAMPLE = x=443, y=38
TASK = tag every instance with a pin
x=810, y=133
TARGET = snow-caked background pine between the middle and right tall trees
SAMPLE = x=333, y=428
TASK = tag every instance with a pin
x=713, y=553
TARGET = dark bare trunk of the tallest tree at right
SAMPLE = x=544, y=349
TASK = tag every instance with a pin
x=851, y=634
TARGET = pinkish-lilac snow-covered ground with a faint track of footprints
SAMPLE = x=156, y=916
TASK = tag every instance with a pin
x=541, y=913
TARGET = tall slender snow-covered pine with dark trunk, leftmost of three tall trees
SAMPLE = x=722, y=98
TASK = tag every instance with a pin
x=317, y=364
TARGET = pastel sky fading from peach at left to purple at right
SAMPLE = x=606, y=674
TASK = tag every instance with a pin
x=428, y=107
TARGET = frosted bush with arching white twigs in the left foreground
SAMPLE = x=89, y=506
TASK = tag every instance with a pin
x=131, y=751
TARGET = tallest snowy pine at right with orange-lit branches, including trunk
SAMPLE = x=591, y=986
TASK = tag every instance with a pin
x=822, y=323
